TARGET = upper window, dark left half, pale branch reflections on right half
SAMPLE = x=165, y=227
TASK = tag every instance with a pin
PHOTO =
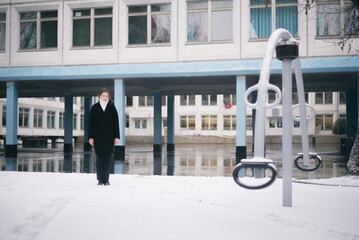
x=157, y=31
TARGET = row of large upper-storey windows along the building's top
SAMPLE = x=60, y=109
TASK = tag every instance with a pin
x=207, y=21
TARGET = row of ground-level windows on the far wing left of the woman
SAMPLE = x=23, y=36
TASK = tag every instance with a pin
x=24, y=114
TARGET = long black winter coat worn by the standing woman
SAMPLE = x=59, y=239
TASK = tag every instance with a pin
x=103, y=127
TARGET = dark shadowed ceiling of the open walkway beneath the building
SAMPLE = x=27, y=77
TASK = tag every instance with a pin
x=313, y=82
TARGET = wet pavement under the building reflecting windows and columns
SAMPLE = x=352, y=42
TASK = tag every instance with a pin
x=186, y=160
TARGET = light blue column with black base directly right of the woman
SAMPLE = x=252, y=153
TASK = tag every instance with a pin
x=119, y=96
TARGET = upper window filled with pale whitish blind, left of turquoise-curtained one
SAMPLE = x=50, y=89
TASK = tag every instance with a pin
x=209, y=20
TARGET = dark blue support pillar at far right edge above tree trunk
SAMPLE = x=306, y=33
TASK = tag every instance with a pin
x=352, y=103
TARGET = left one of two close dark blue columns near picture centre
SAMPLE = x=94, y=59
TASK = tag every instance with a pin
x=157, y=125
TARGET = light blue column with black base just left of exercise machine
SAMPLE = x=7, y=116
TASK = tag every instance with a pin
x=241, y=146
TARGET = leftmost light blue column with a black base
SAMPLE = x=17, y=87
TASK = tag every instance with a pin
x=11, y=119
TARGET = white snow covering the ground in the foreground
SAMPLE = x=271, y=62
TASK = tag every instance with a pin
x=51, y=206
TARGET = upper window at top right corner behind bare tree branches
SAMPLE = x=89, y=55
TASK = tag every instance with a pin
x=329, y=18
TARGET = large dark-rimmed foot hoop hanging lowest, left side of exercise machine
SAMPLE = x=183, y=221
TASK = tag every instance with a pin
x=240, y=166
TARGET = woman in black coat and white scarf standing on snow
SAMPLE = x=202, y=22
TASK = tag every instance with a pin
x=103, y=134
